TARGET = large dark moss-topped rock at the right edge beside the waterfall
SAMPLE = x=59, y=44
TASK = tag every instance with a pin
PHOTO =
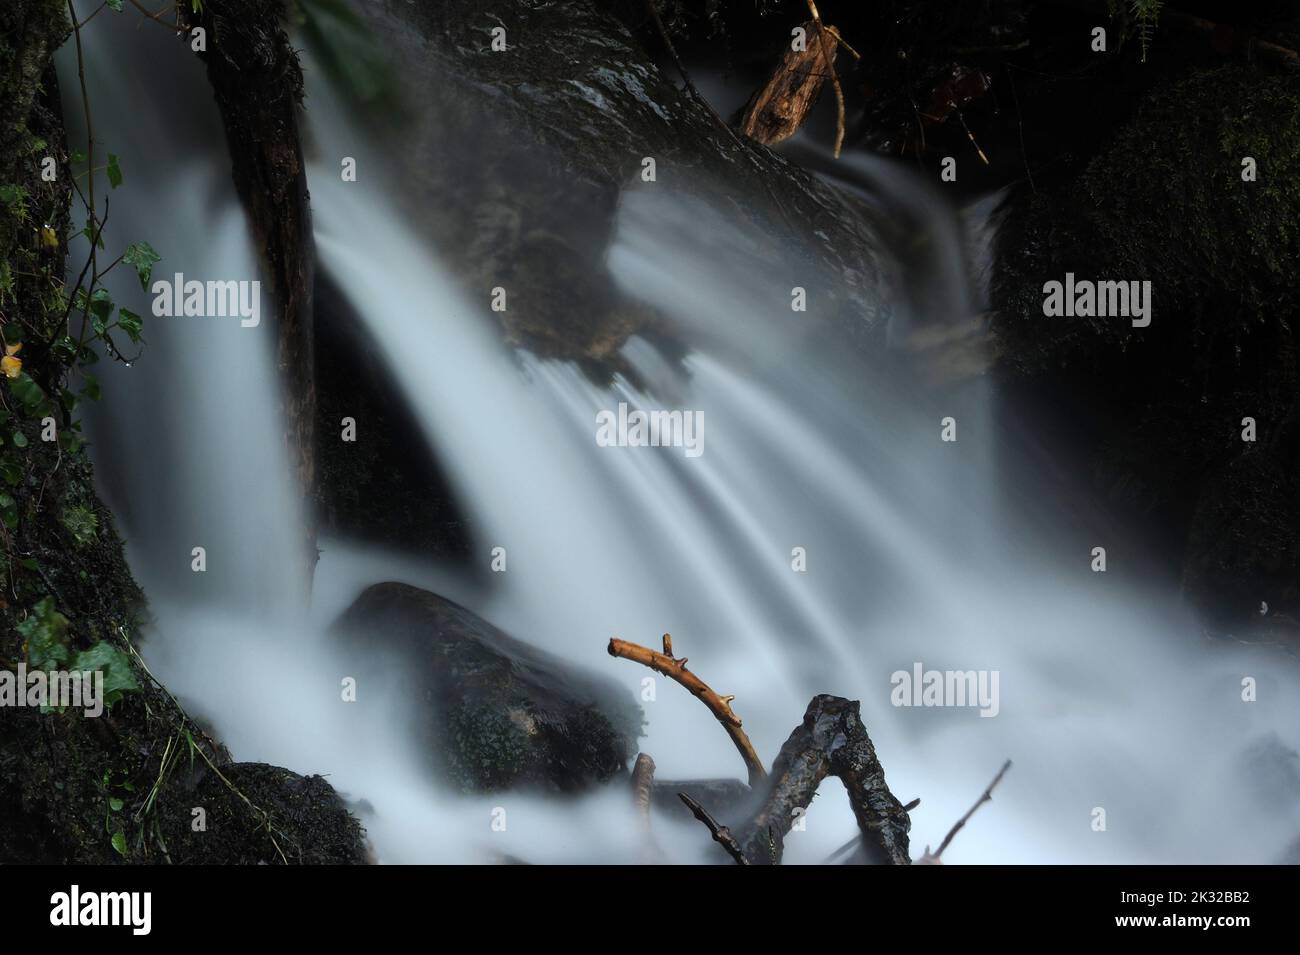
x=1164, y=406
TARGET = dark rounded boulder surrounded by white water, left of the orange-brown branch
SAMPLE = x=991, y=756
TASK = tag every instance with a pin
x=496, y=713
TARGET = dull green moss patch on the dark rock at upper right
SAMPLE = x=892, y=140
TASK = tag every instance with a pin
x=1168, y=201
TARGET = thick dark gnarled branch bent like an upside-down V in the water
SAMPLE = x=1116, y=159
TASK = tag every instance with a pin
x=831, y=741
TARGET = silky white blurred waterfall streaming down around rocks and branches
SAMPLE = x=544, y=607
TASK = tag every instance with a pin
x=967, y=555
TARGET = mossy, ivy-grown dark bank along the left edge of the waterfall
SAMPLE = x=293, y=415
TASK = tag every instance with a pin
x=119, y=787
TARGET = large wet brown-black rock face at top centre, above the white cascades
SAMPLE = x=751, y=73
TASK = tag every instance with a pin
x=523, y=157
